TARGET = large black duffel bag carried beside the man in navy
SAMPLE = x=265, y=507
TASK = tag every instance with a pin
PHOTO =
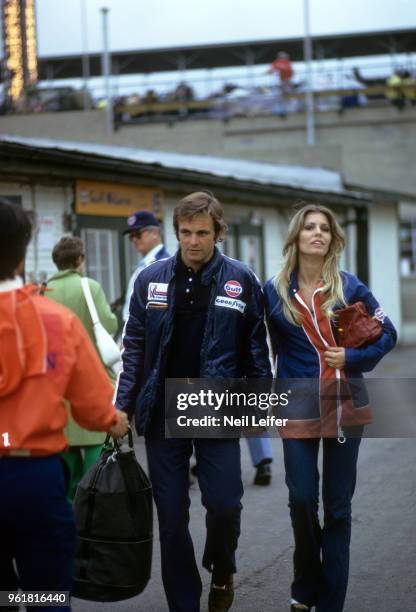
x=113, y=513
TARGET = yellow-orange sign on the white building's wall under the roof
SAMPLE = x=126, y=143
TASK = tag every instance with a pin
x=115, y=199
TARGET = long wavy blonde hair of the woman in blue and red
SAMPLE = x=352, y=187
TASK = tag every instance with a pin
x=332, y=289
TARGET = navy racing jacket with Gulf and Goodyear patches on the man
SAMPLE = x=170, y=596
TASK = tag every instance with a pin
x=234, y=343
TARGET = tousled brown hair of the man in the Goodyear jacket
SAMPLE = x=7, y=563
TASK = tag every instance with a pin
x=197, y=203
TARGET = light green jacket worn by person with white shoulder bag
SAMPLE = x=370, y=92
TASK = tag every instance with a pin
x=65, y=287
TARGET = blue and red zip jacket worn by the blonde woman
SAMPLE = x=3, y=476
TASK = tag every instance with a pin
x=332, y=398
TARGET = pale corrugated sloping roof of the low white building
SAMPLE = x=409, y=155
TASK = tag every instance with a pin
x=300, y=177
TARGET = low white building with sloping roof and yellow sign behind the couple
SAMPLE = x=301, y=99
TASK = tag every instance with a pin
x=90, y=190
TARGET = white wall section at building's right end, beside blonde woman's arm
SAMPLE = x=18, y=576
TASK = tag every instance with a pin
x=384, y=253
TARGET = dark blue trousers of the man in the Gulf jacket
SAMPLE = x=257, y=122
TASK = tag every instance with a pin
x=219, y=477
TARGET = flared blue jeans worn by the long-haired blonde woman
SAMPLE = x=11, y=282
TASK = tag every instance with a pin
x=321, y=557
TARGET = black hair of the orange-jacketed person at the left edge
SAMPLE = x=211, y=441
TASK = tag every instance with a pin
x=15, y=234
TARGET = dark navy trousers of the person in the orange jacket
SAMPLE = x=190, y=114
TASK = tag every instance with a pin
x=37, y=527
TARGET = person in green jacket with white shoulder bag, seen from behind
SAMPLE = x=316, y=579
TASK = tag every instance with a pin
x=65, y=287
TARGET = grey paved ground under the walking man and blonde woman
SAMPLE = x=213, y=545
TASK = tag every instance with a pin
x=383, y=548
